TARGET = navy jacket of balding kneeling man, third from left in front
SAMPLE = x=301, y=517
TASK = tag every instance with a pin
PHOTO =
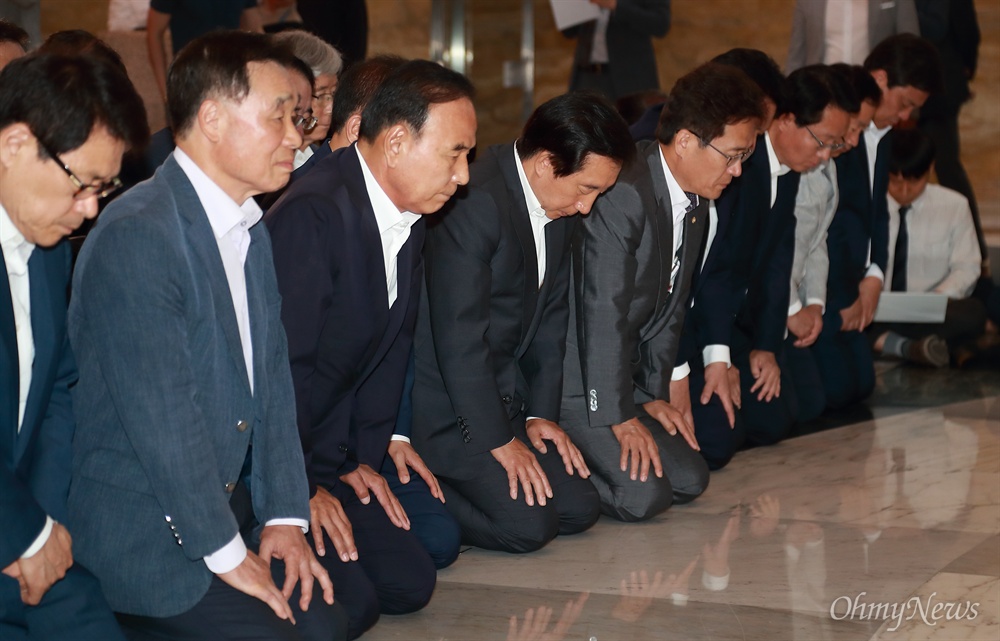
x=349, y=351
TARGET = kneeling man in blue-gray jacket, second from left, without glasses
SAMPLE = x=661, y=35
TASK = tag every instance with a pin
x=189, y=489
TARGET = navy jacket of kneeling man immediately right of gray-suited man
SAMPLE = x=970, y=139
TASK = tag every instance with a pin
x=752, y=254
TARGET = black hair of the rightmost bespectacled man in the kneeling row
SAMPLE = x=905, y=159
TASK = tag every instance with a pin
x=810, y=90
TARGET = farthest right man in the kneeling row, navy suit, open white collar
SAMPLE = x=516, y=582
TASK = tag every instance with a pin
x=907, y=70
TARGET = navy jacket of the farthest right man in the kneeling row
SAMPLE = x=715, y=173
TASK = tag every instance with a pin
x=861, y=221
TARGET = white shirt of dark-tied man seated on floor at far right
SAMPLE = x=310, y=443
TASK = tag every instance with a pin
x=943, y=254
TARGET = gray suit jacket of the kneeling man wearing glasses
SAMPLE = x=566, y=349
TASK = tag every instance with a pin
x=625, y=322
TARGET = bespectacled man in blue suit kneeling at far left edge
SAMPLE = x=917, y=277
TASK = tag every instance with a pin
x=64, y=125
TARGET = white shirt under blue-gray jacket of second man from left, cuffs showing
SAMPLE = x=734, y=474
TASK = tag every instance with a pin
x=231, y=225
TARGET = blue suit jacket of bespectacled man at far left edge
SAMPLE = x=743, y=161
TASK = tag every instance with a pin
x=35, y=463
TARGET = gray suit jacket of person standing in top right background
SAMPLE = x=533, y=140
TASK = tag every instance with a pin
x=808, y=43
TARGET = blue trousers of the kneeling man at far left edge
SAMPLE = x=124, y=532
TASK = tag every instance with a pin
x=73, y=608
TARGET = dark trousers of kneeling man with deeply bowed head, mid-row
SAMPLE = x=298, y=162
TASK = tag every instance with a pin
x=490, y=519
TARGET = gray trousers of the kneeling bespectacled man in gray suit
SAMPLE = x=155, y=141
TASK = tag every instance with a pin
x=685, y=474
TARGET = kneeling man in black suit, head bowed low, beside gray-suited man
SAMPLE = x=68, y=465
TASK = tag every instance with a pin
x=491, y=332
